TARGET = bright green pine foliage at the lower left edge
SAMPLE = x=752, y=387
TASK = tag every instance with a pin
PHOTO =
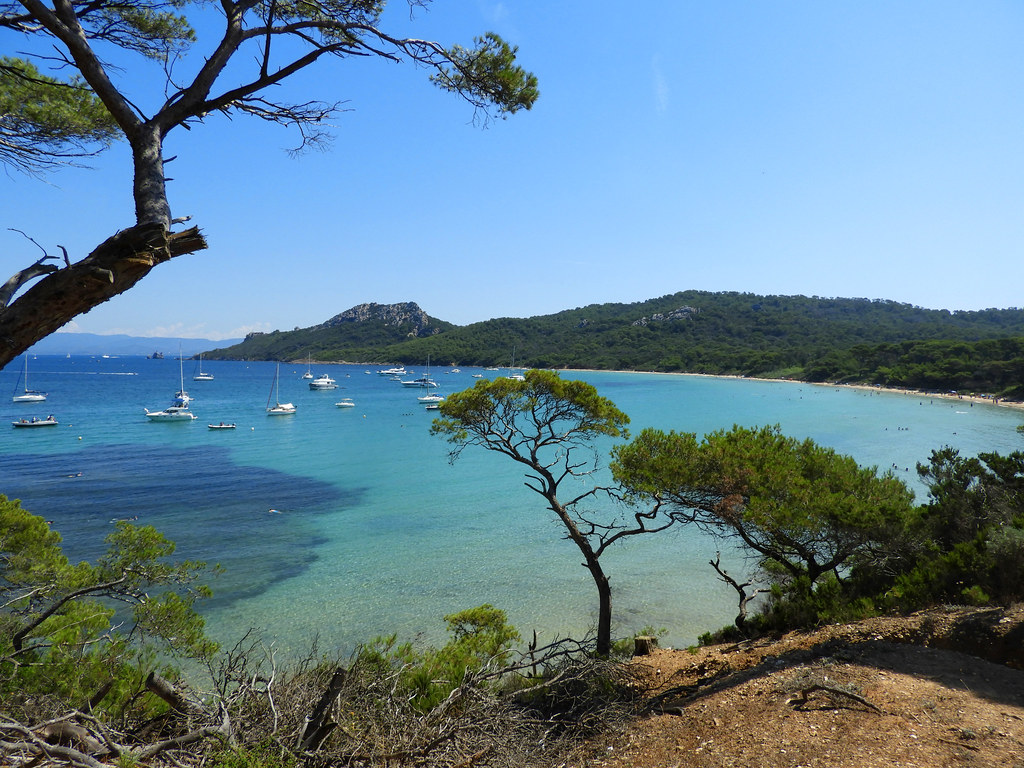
x=58, y=636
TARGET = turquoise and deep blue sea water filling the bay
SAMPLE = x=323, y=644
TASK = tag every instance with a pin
x=337, y=526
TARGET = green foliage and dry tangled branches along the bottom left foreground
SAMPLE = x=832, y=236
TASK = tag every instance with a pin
x=82, y=681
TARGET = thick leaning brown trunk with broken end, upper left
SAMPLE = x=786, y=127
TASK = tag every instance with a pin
x=112, y=269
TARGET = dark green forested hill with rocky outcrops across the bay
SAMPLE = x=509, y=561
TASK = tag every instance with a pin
x=692, y=331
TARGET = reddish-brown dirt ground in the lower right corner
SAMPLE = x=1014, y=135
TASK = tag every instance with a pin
x=940, y=689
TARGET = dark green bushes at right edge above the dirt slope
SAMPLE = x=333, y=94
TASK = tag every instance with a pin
x=964, y=546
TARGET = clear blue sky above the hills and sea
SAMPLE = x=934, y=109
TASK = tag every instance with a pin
x=776, y=147
